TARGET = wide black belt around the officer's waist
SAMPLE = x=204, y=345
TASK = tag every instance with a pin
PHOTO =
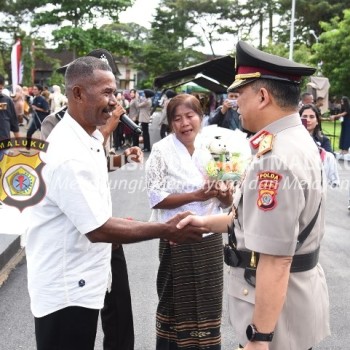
x=300, y=263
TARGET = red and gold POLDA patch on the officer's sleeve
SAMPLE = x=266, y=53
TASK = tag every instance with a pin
x=268, y=185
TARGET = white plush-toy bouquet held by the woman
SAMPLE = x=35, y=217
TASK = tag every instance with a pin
x=230, y=153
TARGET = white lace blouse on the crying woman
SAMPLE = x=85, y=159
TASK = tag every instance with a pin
x=171, y=169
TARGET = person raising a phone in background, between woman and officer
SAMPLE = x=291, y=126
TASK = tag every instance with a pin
x=226, y=115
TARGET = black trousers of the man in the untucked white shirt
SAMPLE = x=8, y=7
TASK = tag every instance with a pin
x=72, y=328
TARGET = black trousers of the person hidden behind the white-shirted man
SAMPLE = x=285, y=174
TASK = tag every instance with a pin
x=116, y=315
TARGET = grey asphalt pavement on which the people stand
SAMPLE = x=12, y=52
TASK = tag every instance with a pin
x=16, y=323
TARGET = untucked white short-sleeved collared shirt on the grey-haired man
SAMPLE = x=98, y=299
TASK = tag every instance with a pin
x=64, y=267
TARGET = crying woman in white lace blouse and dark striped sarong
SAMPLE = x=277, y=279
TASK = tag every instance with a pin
x=190, y=276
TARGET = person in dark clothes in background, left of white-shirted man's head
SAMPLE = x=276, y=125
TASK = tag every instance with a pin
x=40, y=110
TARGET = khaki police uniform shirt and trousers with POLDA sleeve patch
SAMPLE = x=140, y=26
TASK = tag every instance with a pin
x=277, y=199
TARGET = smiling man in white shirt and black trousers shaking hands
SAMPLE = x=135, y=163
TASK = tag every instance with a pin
x=68, y=243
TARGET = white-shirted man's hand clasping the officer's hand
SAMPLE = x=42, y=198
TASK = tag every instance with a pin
x=188, y=234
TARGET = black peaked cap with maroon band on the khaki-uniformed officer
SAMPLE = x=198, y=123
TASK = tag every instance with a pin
x=253, y=64
